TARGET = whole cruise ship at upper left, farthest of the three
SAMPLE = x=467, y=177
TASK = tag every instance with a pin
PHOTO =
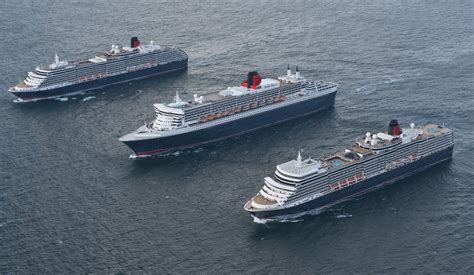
x=117, y=65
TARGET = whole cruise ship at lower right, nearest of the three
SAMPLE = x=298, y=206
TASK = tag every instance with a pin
x=308, y=186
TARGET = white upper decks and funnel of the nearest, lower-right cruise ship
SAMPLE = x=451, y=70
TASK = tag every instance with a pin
x=299, y=181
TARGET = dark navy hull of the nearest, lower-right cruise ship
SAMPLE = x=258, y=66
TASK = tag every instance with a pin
x=357, y=189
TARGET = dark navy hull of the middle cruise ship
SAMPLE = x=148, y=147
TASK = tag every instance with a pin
x=165, y=145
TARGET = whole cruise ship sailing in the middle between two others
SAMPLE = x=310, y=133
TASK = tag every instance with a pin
x=256, y=103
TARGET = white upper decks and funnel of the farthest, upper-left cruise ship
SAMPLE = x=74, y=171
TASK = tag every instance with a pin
x=117, y=60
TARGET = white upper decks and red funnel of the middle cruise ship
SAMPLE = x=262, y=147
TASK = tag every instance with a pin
x=232, y=103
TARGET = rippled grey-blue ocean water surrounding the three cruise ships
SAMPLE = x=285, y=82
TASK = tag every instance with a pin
x=72, y=201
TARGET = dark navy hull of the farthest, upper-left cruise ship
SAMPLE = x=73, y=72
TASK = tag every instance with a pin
x=103, y=82
